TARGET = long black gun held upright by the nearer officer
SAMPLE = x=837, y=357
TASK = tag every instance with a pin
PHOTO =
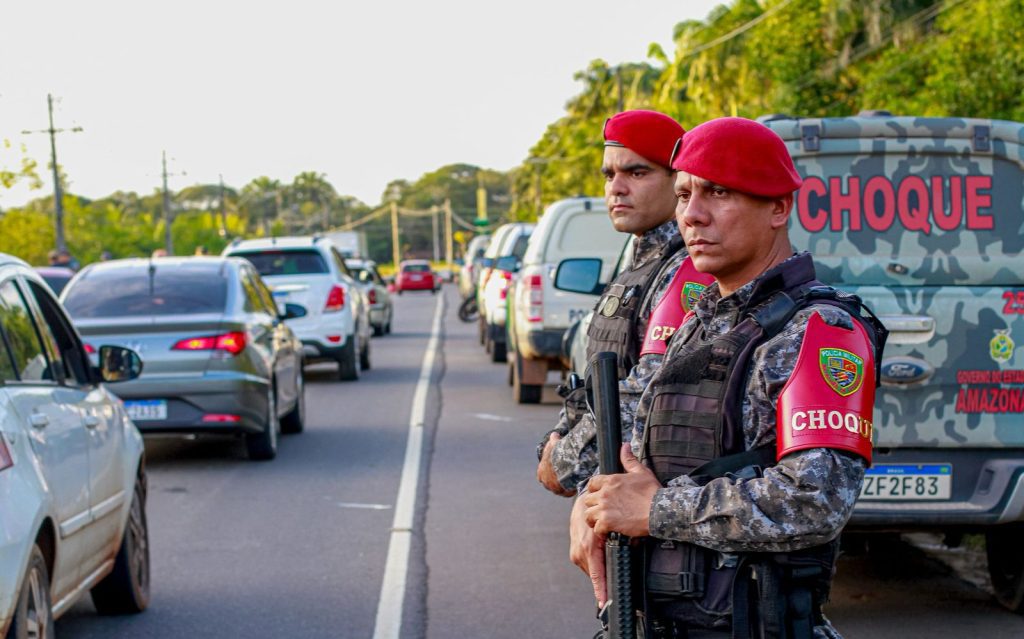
x=618, y=616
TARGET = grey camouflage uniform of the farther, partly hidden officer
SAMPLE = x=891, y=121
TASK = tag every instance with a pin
x=575, y=456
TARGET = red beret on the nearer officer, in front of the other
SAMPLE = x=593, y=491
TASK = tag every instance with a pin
x=740, y=154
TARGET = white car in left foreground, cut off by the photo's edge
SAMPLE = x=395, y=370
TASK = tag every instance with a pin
x=72, y=474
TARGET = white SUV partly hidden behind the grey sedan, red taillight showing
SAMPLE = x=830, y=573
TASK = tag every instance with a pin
x=329, y=309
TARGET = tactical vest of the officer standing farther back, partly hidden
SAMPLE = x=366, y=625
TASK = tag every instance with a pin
x=614, y=327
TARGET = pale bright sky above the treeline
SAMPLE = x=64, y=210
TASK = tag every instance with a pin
x=364, y=93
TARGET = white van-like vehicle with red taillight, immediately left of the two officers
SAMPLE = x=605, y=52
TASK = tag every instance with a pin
x=539, y=314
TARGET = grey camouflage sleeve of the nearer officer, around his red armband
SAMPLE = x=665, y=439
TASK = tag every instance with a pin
x=803, y=500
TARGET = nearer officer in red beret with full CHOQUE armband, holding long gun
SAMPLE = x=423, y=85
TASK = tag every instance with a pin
x=754, y=437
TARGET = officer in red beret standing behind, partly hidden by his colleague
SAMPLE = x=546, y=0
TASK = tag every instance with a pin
x=646, y=301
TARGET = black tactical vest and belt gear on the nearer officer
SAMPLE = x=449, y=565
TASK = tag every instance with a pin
x=696, y=428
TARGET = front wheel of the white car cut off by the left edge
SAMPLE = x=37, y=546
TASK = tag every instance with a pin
x=126, y=589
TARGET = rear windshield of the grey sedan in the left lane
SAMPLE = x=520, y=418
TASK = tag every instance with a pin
x=146, y=290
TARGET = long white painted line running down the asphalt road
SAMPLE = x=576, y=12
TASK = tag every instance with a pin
x=389, y=624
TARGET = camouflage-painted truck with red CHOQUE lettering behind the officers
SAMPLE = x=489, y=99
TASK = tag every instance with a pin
x=924, y=219
